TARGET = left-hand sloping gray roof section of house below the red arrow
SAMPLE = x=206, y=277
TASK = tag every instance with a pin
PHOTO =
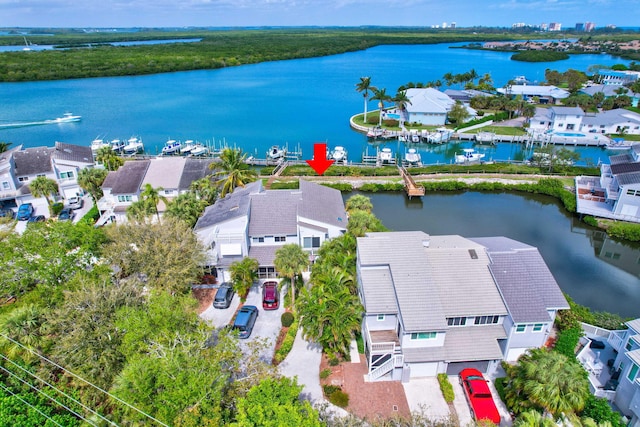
x=231, y=206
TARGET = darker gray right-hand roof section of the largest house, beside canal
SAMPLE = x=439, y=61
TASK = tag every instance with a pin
x=527, y=286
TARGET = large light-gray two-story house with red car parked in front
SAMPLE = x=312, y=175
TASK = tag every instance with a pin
x=438, y=304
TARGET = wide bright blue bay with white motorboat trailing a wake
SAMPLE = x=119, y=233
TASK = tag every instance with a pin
x=295, y=102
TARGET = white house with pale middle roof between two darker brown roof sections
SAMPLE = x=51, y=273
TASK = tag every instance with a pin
x=121, y=188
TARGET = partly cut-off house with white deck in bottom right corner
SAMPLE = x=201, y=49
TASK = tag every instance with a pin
x=612, y=359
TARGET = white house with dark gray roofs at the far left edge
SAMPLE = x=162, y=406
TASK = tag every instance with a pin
x=60, y=163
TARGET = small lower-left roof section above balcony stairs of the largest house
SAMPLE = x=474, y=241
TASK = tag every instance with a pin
x=379, y=294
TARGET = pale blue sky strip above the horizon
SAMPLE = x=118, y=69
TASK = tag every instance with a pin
x=223, y=13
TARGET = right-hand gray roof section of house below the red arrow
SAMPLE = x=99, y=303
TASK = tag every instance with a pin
x=323, y=204
